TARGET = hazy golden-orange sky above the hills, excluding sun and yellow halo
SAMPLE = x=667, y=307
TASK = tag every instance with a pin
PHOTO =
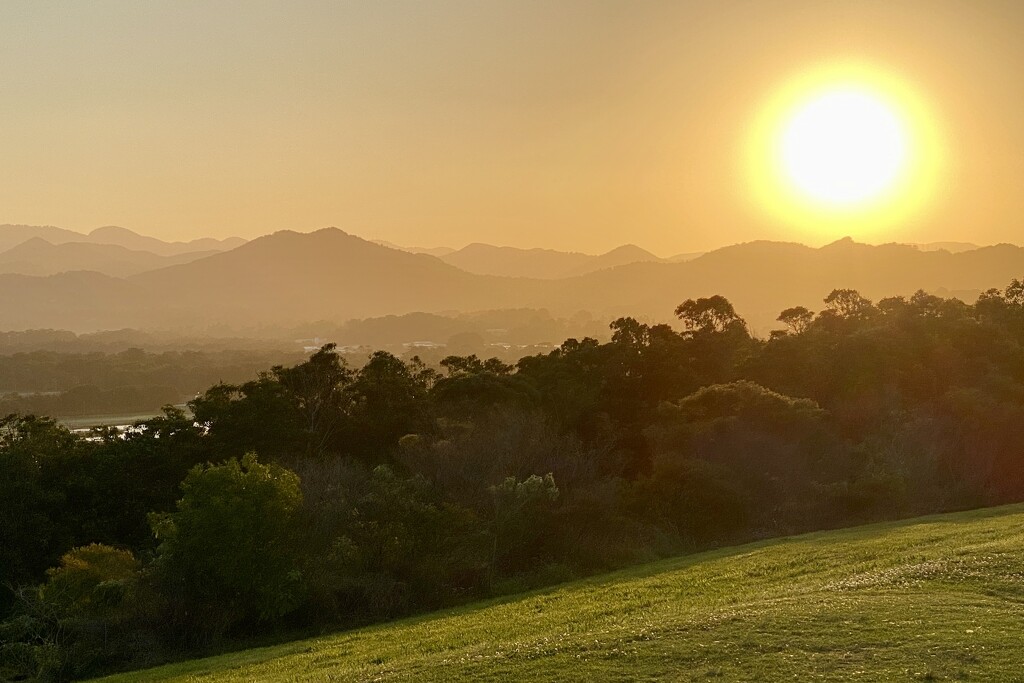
x=571, y=125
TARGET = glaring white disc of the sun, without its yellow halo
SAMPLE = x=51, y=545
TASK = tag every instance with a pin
x=844, y=147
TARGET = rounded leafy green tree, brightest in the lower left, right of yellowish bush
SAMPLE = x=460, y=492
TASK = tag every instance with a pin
x=228, y=554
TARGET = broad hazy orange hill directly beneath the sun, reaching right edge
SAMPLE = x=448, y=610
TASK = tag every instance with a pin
x=763, y=278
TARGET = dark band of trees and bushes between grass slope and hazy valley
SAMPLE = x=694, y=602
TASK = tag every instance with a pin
x=318, y=496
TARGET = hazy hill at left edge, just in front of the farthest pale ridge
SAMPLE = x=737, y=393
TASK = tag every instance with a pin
x=38, y=258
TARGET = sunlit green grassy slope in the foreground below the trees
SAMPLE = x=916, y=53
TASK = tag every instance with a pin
x=936, y=599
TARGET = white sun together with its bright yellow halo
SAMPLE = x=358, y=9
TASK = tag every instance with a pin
x=844, y=150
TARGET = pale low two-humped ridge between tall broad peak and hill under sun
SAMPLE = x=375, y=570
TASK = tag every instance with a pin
x=540, y=264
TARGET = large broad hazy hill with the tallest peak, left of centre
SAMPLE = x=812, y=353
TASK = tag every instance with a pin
x=328, y=275
